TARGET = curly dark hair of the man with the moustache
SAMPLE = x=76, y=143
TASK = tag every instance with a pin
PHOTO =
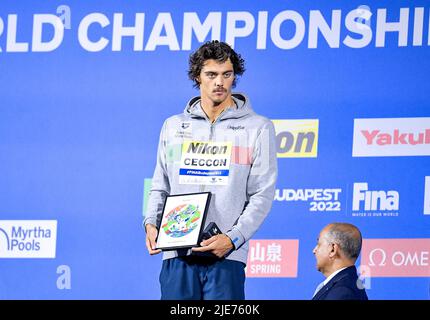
x=216, y=50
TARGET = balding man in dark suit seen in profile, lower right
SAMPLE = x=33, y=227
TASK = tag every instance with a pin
x=338, y=247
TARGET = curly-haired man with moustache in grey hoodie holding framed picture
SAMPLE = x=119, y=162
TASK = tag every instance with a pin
x=217, y=146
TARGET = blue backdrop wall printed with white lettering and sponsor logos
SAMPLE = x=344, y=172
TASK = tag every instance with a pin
x=81, y=109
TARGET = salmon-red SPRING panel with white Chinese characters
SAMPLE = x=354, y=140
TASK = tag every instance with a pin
x=273, y=258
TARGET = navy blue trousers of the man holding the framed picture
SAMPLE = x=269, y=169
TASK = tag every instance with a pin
x=194, y=278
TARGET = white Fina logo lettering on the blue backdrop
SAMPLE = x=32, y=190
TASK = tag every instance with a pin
x=376, y=203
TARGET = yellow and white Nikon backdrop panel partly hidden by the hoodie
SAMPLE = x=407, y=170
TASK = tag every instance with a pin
x=296, y=138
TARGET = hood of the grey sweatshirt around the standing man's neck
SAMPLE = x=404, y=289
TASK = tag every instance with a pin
x=194, y=108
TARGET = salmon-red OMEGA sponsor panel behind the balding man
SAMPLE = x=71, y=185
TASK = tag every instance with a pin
x=396, y=257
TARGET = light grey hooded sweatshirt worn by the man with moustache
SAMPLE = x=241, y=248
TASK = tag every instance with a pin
x=240, y=207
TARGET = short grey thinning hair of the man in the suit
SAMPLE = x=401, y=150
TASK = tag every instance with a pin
x=347, y=237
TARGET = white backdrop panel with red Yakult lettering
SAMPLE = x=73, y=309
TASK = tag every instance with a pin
x=391, y=137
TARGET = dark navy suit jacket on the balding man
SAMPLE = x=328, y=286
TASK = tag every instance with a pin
x=343, y=286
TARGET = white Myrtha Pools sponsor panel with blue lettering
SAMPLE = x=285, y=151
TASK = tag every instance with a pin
x=28, y=238
